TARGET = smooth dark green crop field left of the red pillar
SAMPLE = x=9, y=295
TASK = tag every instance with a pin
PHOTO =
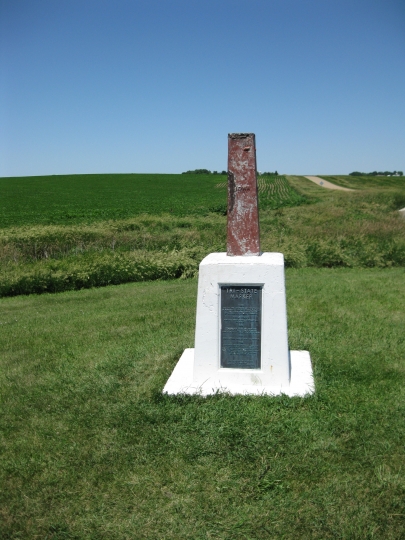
x=89, y=198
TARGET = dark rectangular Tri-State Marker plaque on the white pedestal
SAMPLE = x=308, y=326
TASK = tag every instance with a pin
x=241, y=325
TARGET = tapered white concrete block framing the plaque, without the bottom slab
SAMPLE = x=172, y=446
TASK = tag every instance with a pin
x=266, y=271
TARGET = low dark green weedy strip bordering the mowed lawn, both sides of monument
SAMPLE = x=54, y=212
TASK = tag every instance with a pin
x=106, y=268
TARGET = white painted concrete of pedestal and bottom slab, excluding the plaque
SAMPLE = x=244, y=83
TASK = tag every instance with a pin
x=199, y=369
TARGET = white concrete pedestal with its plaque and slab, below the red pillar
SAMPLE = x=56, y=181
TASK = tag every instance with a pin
x=241, y=340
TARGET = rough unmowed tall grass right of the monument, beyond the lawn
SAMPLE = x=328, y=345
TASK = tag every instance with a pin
x=360, y=229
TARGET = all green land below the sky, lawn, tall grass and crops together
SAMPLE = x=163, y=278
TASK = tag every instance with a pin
x=90, y=449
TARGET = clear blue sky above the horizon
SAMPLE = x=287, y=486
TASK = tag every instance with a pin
x=100, y=86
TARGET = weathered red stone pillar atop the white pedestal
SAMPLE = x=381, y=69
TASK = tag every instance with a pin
x=243, y=213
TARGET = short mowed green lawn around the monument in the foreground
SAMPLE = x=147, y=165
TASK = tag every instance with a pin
x=91, y=449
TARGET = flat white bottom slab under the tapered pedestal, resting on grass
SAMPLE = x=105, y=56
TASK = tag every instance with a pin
x=301, y=380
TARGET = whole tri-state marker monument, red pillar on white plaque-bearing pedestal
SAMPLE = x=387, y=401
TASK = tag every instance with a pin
x=241, y=339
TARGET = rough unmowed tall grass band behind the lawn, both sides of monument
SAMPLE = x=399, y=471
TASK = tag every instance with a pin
x=335, y=229
